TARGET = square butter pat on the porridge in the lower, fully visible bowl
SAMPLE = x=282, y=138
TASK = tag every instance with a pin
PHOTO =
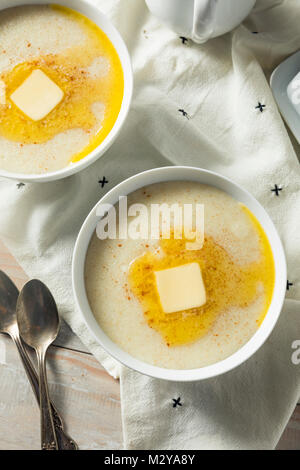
x=180, y=288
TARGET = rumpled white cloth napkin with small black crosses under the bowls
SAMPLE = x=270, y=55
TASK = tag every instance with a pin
x=194, y=105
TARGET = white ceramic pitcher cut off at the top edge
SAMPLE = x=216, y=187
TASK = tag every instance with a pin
x=201, y=20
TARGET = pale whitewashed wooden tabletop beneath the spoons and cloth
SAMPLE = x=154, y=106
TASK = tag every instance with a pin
x=87, y=396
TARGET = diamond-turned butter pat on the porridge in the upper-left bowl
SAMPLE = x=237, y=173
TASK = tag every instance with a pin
x=37, y=96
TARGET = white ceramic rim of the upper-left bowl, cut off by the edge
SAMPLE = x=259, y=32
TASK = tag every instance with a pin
x=92, y=12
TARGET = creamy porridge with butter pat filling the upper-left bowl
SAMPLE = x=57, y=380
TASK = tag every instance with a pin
x=61, y=88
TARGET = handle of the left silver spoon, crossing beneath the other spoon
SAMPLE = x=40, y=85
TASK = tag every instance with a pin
x=63, y=440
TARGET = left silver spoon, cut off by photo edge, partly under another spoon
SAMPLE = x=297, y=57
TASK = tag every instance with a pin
x=8, y=324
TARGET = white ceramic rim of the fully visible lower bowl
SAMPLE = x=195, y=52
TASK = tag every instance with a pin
x=182, y=173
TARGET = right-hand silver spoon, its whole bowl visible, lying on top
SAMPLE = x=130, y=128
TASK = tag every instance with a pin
x=38, y=323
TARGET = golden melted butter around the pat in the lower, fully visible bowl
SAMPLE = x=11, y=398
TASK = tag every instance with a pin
x=228, y=285
